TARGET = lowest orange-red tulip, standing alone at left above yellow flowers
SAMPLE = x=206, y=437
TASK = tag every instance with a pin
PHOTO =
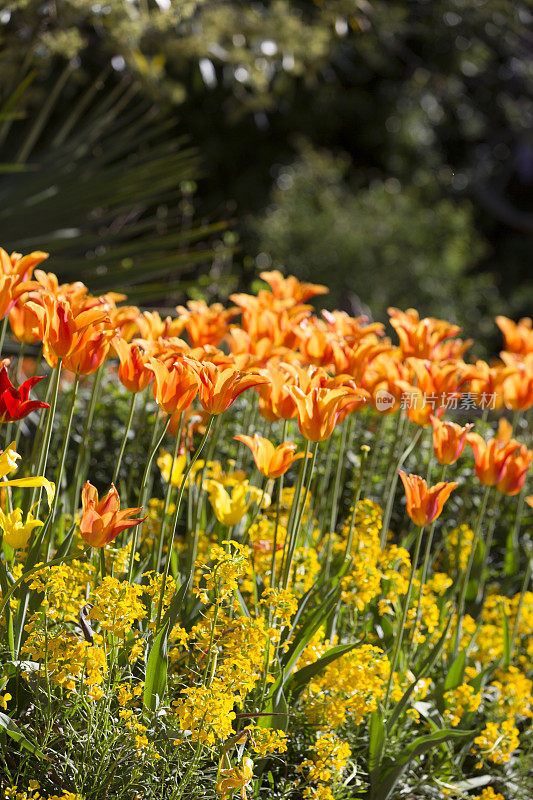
x=102, y=520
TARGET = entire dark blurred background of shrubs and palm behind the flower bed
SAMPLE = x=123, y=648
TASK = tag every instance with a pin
x=177, y=148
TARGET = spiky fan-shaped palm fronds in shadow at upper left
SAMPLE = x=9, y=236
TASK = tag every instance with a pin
x=101, y=187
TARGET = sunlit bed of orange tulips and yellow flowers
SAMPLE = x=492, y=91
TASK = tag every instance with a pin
x=252, y=551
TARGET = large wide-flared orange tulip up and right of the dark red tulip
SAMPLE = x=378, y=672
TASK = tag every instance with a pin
x=61, y=327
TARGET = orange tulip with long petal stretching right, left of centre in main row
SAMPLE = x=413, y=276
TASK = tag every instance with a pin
x=220, y=386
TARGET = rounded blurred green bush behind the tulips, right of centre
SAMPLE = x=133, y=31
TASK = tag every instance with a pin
x=376, y=245
